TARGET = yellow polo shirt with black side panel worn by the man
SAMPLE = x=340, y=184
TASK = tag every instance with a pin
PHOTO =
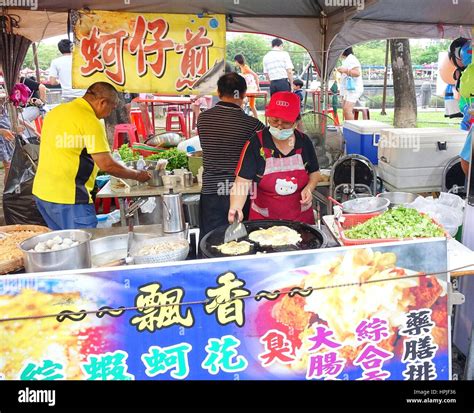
x=66, y=172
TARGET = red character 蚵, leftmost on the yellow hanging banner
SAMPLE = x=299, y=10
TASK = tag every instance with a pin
x=101, y=51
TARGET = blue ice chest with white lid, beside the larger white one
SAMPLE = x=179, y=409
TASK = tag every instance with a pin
x=362, y=136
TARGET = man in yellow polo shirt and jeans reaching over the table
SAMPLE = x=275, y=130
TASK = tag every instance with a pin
x=73, y=148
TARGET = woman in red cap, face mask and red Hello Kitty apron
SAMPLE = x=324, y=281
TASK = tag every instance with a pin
x=282, y=163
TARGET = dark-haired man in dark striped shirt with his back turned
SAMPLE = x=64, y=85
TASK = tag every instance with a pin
x=223, y=131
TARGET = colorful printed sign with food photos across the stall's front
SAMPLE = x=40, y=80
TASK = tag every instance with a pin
x=361, y=313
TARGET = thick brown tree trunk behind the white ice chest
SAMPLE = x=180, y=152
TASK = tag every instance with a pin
x=403, y=84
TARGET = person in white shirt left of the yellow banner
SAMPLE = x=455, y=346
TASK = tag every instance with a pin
x=60, y=72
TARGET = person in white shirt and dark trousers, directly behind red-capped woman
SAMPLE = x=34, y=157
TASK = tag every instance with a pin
x=278, y=68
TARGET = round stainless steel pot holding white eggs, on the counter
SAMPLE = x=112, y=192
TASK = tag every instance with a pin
x=68, y=259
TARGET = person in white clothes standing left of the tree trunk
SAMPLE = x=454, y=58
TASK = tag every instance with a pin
x=351, y=90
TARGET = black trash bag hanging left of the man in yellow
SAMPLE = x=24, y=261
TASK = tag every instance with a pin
x=19, y=206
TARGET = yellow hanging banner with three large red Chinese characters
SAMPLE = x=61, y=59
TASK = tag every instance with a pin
x=146, y=52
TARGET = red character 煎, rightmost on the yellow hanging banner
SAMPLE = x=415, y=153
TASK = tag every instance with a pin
x=194, y=62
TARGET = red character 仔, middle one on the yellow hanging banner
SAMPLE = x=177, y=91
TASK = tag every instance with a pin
x=159, y=46
